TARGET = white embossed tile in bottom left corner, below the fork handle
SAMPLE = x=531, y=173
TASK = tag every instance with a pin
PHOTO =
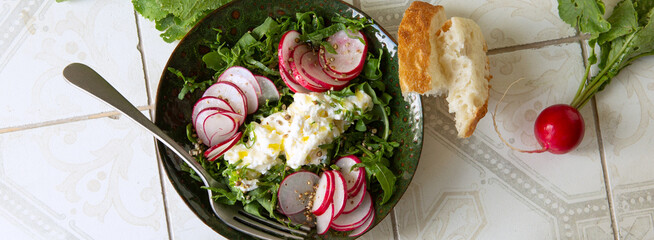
x=91, y=179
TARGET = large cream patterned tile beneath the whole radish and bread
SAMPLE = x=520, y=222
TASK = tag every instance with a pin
x=479, y=188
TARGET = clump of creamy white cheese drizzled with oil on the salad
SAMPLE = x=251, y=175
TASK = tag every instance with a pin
x=310, y=121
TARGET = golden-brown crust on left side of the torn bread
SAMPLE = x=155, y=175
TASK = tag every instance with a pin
x=414, y=48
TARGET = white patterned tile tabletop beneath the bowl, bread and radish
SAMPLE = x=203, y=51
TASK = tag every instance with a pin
x=71, y=168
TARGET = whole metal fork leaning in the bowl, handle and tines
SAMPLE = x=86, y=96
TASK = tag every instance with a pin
x=90, y=81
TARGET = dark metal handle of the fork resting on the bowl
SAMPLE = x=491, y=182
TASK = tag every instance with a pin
x=90, y=81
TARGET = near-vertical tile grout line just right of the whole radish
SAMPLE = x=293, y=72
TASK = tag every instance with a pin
x=600, y=145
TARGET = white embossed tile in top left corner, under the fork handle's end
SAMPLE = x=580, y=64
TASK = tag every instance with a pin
x=41, y=37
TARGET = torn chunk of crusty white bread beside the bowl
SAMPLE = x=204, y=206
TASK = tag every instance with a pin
x=456, y=64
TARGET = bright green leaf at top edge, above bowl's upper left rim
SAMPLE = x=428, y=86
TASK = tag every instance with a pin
x=175, y=17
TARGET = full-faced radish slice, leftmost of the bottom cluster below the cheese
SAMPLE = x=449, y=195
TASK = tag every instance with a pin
x=292, y=193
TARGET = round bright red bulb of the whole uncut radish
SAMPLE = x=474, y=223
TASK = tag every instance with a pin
x=559, y=128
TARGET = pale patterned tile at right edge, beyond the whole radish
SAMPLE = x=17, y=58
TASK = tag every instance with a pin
x=627, y=121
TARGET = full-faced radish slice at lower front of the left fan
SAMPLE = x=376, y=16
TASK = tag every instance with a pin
x=219, y=127
